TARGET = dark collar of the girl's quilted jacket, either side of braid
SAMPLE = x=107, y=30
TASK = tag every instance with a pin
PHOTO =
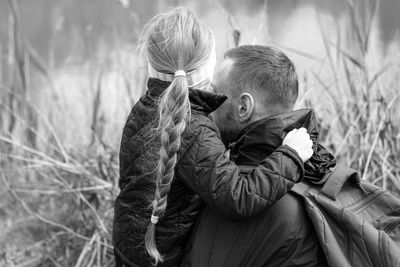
x=200, y=100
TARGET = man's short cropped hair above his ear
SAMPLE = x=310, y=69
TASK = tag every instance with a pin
x=266, y=70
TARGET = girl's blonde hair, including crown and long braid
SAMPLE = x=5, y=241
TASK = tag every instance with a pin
x=172, y=41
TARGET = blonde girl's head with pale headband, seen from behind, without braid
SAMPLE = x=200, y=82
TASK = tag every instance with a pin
x=177, y=41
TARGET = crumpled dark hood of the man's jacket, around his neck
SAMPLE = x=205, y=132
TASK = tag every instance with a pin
x=259, y=139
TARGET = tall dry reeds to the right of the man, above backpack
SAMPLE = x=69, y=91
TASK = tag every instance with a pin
x=360, y=103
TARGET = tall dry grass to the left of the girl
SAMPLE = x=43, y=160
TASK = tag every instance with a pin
x=58, y=154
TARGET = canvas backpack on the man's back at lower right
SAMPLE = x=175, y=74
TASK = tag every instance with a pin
x=357, y=223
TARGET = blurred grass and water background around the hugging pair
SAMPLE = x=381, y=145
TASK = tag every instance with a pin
x=70, y=73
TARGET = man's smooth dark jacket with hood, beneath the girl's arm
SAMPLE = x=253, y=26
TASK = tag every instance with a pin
x=280, y=236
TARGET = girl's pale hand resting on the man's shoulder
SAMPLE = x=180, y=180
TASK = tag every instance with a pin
x=299, y=140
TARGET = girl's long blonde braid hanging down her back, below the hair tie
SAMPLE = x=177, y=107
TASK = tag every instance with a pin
x=174, y=114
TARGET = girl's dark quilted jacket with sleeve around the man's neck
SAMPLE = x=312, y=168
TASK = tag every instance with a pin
x=203, y=173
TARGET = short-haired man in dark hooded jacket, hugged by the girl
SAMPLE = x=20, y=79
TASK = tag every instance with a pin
x=262, y=88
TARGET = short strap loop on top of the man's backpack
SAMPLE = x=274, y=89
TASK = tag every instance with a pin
x=337, y=178
